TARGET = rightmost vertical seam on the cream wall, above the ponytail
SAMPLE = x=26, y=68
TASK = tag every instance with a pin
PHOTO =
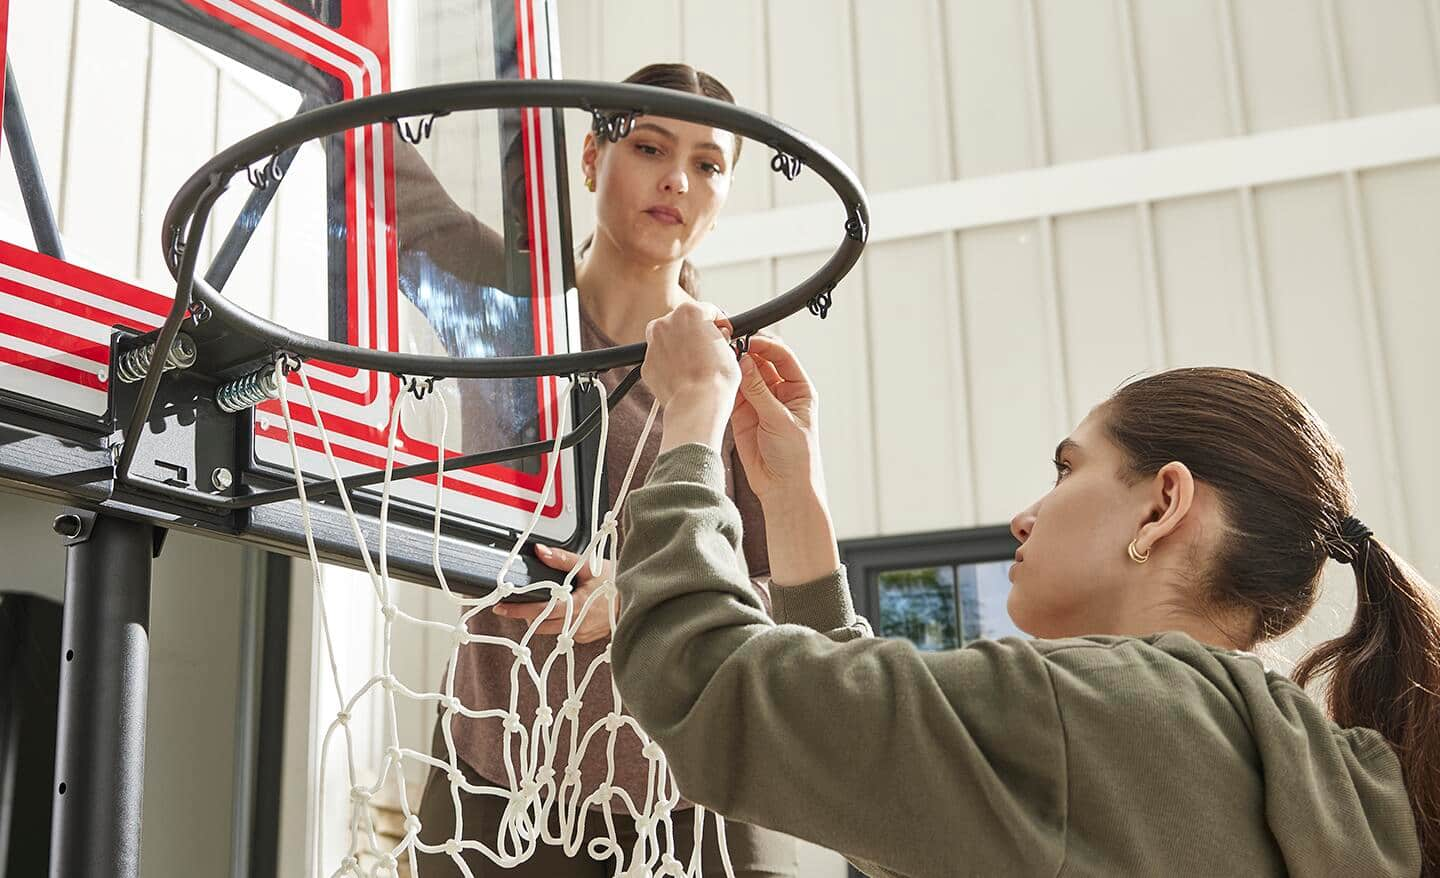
x=1369, y=302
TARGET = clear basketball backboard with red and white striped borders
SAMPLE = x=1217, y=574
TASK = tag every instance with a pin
x=459, y=244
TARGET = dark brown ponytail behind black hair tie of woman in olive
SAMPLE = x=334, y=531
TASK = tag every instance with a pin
x=1386, y=676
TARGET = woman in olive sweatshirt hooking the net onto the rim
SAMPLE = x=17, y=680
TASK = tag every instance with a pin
x=1192, y=517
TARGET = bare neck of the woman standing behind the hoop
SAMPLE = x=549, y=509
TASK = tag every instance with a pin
x=623, y=296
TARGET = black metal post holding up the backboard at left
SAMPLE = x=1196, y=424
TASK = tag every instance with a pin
x=100, y=745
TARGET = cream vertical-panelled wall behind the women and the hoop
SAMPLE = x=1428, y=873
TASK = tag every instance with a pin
x=971, y=349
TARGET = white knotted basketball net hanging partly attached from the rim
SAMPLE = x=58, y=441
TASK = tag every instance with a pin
x=542, y=755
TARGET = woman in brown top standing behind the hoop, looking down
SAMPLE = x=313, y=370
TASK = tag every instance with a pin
x=659, y=194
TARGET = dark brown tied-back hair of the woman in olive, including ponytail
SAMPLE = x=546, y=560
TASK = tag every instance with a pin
x=1285, y=494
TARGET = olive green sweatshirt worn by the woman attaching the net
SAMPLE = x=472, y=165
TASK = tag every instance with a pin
x=1088, y=756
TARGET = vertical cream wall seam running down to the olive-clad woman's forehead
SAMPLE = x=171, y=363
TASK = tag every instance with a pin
x=1050, y=273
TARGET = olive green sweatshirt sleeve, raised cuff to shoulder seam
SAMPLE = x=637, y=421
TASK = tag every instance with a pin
x=901, y=761
